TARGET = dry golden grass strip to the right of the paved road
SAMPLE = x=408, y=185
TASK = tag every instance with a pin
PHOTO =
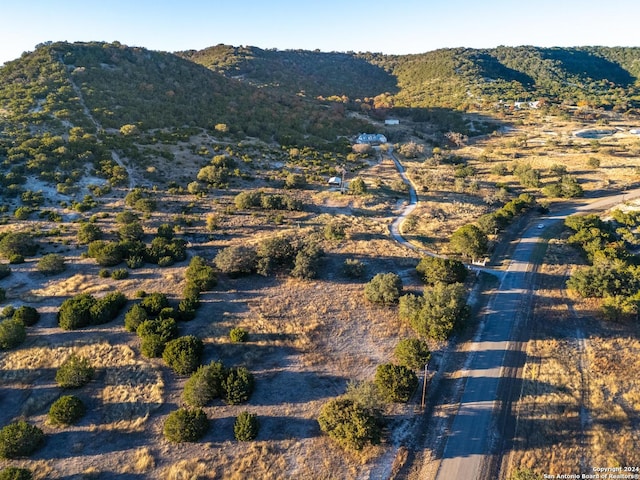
x=579, y=403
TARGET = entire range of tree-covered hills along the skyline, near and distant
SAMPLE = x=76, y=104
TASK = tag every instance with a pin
x=273, y=94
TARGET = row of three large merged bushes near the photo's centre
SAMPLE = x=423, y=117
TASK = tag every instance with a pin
x=300, y=257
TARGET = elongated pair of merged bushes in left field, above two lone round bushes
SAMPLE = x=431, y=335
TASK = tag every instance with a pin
x=84, y=309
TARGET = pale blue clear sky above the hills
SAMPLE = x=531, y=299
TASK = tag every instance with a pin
x=390, y=26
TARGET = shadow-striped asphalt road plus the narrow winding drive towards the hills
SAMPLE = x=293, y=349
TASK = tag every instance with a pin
x=473, y=436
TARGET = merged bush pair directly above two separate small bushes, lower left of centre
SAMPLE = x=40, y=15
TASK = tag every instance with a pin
x=209, y=382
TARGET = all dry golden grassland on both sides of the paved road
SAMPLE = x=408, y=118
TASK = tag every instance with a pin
x=308, y=339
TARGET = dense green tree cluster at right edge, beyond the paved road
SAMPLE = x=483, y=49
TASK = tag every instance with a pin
x=614, y=274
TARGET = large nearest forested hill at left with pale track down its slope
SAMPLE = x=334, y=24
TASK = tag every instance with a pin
x=120, y=85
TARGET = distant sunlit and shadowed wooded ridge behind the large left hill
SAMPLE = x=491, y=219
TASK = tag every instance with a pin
x=454, y=77
